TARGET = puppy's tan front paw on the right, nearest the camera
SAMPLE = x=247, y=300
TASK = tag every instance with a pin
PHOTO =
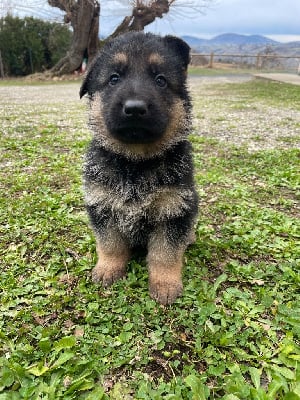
x=165, y=292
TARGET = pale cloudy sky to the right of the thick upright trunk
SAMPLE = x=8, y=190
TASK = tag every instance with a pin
x=278, y=19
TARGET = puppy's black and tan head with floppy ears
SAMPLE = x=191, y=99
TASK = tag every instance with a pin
x=137, y=91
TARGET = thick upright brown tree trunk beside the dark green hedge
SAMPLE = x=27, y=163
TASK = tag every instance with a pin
x=84, y=18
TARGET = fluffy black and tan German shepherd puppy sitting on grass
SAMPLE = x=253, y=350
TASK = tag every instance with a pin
x=138, y=175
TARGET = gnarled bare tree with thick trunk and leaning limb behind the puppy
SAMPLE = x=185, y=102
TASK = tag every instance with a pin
x=84, y=18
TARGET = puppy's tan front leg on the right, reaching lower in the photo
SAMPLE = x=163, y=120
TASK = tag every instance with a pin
x=165, y=263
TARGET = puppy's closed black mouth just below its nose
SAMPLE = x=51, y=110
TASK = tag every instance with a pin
x=136, y=134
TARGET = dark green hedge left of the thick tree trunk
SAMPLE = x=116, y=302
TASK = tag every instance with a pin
x=31, y=45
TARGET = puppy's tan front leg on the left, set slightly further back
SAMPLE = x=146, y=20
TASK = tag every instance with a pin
x=112, y=260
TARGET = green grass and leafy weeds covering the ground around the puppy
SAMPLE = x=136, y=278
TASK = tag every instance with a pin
x=235, y=333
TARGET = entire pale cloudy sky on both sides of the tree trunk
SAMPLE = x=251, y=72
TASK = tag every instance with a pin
x=278, y=19
